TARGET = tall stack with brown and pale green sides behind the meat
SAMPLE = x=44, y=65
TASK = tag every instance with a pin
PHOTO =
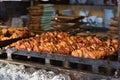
x=40, y=16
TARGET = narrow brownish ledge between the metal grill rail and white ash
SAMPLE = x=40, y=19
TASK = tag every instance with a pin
x=74, y=74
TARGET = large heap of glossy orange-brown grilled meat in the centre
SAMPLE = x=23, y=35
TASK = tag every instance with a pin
x=64, y=43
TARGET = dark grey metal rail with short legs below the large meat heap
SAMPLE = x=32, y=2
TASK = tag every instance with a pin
x=95, y=64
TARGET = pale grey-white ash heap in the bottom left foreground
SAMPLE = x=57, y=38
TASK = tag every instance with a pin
x=20, y=72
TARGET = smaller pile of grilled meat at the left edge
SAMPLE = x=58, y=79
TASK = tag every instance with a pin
x=12, y=33
